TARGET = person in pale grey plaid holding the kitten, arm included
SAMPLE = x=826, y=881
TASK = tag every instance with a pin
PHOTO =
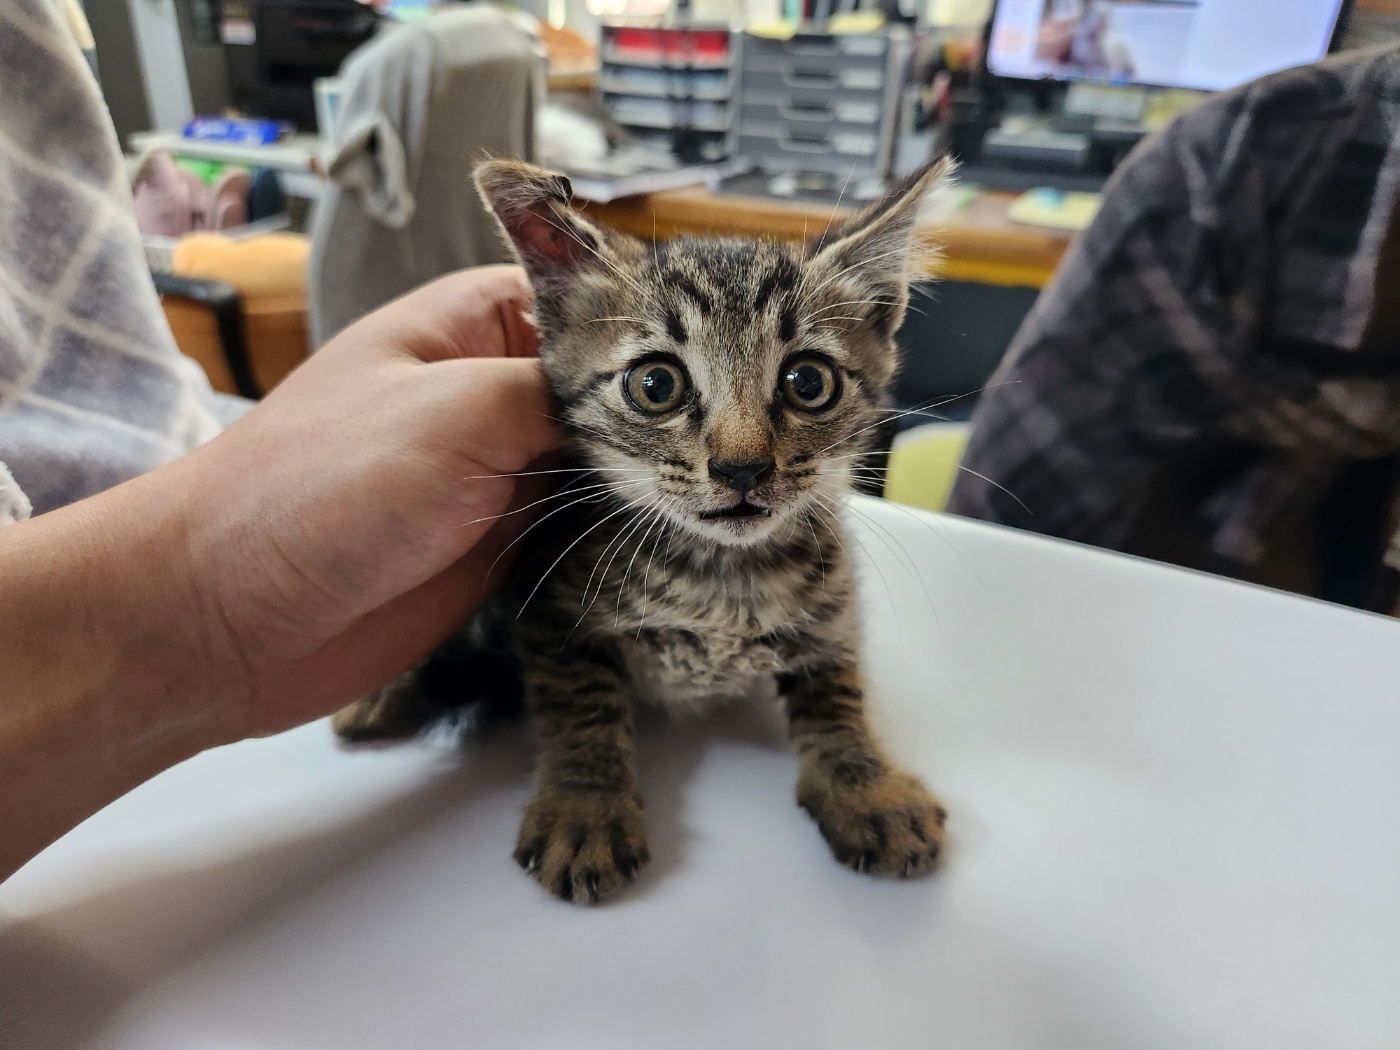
x=183, y=589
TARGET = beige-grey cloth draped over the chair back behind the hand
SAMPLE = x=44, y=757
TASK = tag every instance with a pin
x=422, y=103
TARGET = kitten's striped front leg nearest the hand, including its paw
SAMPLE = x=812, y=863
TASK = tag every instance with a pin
x=583, y=835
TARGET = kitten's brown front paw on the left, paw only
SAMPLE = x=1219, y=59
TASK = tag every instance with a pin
x=582, y=848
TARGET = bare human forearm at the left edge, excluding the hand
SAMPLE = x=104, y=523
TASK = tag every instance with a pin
x=107, y=675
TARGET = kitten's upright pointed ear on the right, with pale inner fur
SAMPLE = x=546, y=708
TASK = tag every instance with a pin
x=878, y=244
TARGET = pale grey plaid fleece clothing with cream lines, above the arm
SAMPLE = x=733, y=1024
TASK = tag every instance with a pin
x=93, y=388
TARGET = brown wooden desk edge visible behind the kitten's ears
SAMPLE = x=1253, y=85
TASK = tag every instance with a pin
x=981, y=244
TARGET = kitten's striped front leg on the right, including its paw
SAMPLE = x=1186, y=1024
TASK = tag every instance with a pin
x=876, y=817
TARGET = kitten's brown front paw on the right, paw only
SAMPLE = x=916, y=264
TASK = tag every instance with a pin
x=890, y=827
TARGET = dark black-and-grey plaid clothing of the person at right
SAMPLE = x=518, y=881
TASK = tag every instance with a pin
x=1226, y=297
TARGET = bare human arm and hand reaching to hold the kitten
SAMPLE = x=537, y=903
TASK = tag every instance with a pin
x=324, y=544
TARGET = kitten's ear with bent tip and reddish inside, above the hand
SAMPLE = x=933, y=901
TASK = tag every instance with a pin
x=549, y=237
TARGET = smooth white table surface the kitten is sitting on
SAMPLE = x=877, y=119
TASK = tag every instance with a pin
x=1175, y=822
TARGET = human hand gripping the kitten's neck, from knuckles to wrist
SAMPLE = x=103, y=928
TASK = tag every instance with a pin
x=349, y=523
